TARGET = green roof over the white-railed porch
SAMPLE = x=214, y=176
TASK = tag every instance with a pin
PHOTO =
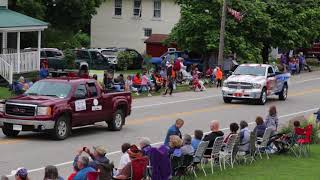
x=11, y=20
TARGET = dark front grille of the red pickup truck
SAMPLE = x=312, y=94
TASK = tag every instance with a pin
x=20, y=110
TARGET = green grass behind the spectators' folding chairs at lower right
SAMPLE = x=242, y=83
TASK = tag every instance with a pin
x=278, y=167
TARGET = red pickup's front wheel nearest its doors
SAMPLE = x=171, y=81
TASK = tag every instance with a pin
x=62, y=128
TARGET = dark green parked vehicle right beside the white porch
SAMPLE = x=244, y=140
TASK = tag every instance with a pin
x=53, y=56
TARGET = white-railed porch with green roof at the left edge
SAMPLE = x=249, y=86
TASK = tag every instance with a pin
x=14, y=59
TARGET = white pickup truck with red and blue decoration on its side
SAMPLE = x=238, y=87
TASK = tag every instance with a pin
x=255, y=82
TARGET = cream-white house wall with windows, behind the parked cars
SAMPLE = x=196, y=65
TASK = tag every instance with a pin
x=128, y=23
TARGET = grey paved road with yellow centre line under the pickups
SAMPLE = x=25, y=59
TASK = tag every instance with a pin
x=151, y=117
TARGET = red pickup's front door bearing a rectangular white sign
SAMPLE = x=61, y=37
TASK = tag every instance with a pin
x=80, y=105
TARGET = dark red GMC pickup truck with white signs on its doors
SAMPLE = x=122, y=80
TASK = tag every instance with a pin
x=56, y=105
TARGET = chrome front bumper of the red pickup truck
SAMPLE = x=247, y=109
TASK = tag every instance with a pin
x=49, y=124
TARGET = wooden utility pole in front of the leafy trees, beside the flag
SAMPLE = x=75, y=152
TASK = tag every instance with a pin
x=222, y=32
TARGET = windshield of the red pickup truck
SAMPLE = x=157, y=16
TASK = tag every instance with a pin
x=44, y=88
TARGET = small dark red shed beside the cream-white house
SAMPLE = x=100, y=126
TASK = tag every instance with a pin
x=155, y=45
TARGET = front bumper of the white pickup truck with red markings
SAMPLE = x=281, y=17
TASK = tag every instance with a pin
x=241, y=93
